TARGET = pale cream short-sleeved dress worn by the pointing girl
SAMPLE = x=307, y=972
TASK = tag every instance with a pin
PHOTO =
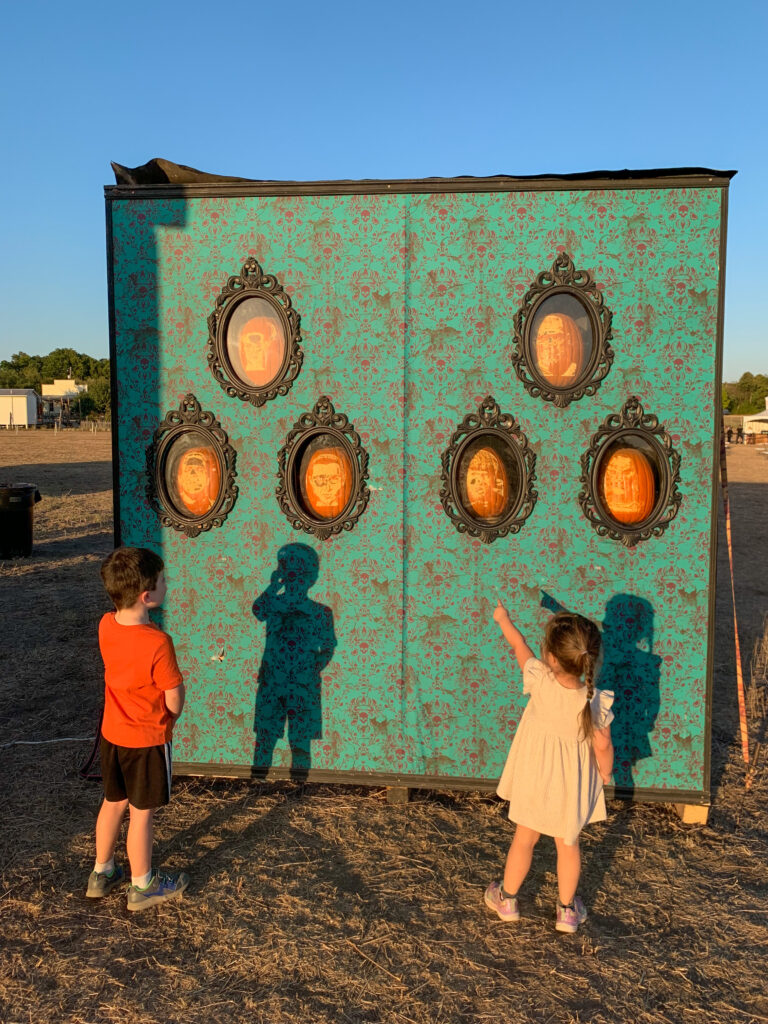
x=551, y=779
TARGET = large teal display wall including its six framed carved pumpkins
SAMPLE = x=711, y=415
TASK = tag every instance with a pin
x=350, y=416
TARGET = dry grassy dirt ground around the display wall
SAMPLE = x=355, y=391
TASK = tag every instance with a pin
x=325, y=904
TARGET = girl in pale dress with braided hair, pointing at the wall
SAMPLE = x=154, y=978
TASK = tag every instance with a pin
x=561, y=757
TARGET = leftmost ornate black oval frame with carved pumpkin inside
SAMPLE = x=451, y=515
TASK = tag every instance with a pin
x=191, y=470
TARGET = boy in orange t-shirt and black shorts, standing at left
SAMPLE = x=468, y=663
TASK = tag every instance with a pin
x=145, y=695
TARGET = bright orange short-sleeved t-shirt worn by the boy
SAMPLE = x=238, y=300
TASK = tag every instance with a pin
x=140, y=665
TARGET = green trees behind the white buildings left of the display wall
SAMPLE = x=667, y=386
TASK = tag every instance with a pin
x=34, y=371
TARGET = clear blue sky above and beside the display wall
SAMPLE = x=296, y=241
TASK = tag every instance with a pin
x=354, y=91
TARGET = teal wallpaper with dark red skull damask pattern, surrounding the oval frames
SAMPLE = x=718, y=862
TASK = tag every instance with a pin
x=374, y=653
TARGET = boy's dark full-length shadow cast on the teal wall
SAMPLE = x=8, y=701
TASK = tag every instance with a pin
x=301, y=643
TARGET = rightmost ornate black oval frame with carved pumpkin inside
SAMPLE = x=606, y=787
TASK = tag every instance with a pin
x=631, y=431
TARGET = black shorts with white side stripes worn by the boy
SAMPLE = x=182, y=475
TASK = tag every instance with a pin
x=141, y=775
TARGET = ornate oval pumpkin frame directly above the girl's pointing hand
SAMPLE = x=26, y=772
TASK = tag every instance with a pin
x=488, y=476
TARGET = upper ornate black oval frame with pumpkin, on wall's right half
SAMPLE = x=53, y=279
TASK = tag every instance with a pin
x=563, y=335
